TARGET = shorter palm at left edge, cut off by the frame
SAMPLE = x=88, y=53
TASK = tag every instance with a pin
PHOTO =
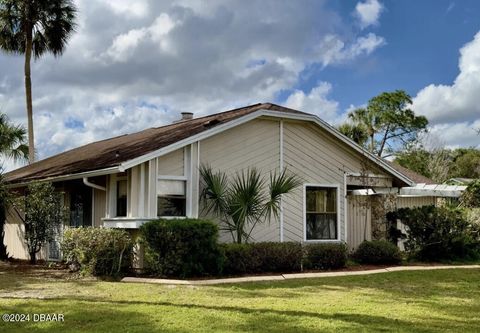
x=12, y=146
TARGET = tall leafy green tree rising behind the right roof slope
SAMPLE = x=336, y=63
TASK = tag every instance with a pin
x=387, y=121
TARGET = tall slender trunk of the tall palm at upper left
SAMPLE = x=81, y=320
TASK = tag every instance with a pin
x=28, y=91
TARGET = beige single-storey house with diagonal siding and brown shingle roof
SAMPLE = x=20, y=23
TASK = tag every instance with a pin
x=127, y=180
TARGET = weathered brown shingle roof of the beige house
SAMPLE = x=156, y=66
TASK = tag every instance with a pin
x=112, y=152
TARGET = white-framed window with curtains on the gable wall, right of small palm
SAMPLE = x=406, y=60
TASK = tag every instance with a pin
x=321, y=213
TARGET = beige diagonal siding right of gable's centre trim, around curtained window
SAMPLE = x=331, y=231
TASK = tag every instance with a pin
x=317, y=158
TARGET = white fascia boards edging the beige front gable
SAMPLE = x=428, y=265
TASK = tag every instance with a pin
x=263, y=112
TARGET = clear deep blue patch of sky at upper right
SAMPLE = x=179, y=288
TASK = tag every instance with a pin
x=423, y=39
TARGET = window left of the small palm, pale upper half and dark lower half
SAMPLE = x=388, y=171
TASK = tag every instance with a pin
x=171, y=198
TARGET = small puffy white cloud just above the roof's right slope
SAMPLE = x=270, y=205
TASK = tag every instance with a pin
x=316, y=102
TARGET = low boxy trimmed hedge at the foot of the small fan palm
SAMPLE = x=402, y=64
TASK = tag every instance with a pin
x=264, y=257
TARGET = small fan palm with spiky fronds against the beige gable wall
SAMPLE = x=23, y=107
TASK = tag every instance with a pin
x=244, y=201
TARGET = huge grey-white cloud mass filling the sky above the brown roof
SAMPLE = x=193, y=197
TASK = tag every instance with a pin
x=138, y=64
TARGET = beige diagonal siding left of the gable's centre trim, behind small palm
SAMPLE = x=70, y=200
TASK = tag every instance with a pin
x=254, y=144
